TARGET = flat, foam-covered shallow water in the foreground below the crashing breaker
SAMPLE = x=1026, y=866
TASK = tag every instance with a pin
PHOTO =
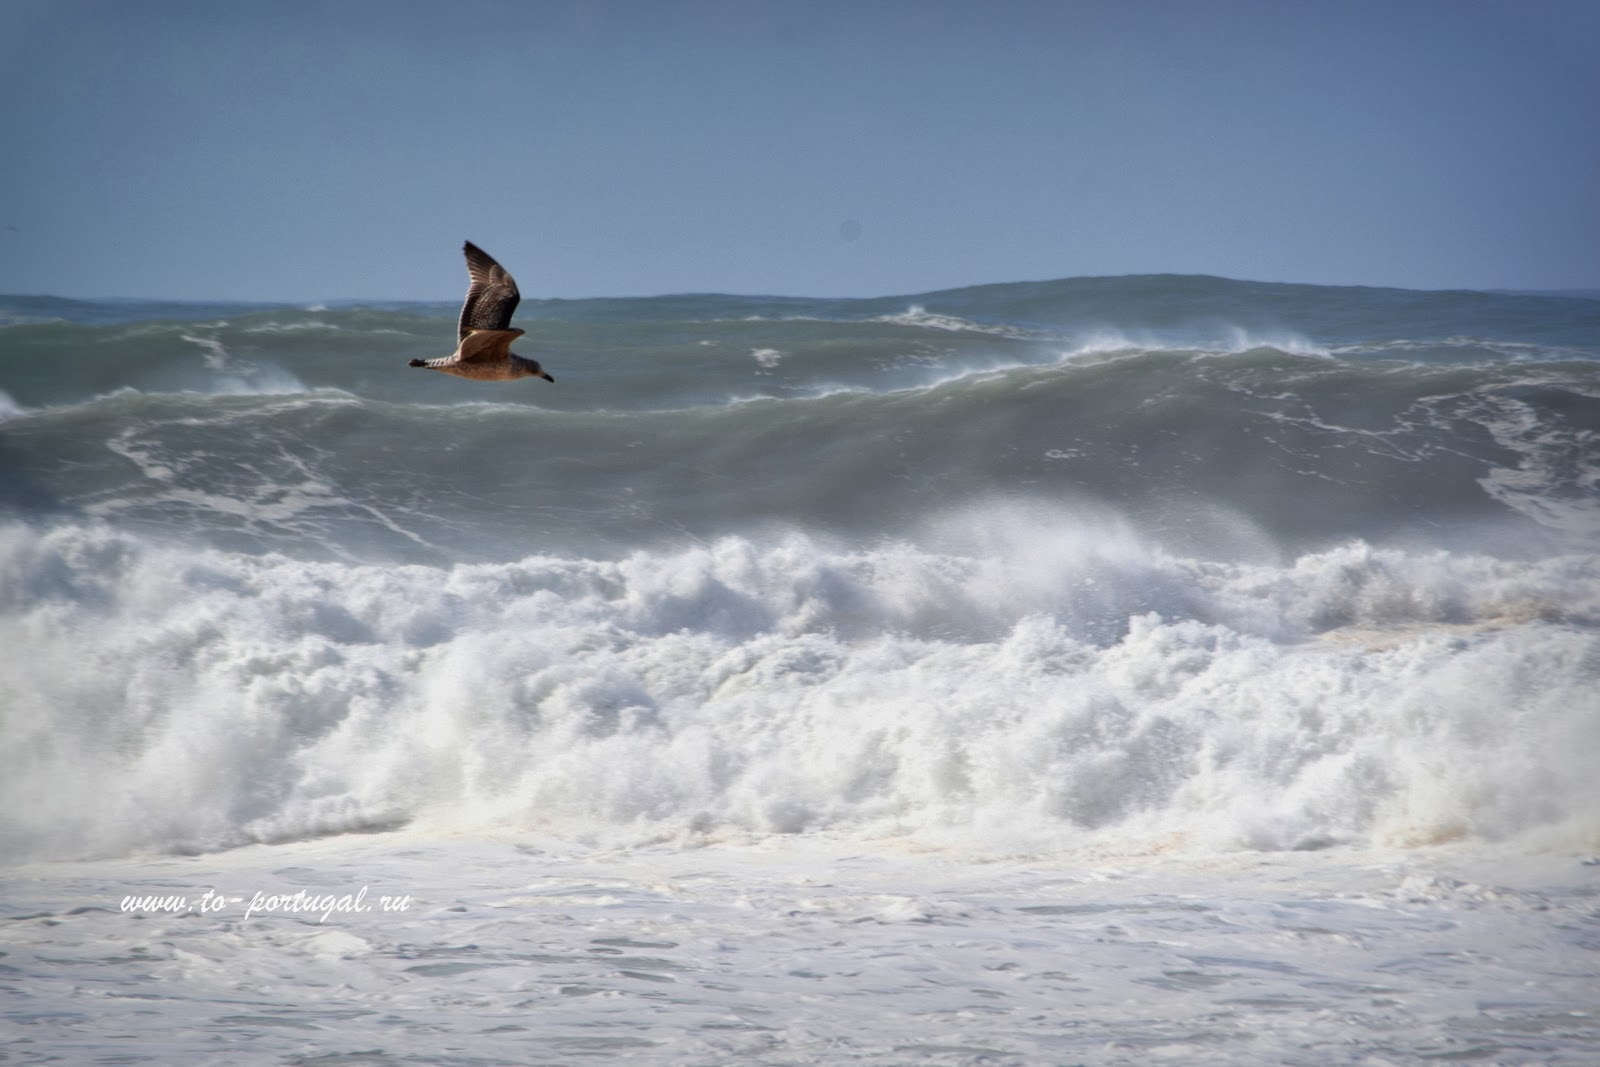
x=810, y=951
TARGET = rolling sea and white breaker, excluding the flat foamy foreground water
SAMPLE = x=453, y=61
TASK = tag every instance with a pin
x=1130, y=564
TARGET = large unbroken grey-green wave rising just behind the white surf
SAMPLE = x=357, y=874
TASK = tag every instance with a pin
x=1215, y=455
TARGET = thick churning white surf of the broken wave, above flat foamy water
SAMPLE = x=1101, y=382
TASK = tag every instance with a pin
x=1086, y=693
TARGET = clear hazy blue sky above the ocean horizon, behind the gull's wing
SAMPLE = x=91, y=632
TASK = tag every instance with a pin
x=302, y=151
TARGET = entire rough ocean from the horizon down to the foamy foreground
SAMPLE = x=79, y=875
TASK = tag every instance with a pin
x=1100, y=671
